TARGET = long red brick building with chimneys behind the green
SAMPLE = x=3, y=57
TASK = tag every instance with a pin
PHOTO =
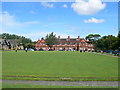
x=66, y=44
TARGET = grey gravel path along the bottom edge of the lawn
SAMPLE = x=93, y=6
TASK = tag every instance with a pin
x=64, y=83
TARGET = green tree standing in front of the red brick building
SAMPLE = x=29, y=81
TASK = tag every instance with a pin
x=51, y=39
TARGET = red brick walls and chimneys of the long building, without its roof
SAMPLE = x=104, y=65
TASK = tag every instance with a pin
x=82, y=45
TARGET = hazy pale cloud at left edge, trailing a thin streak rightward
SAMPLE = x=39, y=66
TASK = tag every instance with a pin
x=10, y=23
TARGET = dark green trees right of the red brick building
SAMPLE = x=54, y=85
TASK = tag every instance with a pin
x=108, y=42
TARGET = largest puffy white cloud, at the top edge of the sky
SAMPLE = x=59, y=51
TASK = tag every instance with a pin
x=88, y=8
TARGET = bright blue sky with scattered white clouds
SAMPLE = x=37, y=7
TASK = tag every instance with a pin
x=37, y=19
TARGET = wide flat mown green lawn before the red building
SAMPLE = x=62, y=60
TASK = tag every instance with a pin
x=48, y=65
